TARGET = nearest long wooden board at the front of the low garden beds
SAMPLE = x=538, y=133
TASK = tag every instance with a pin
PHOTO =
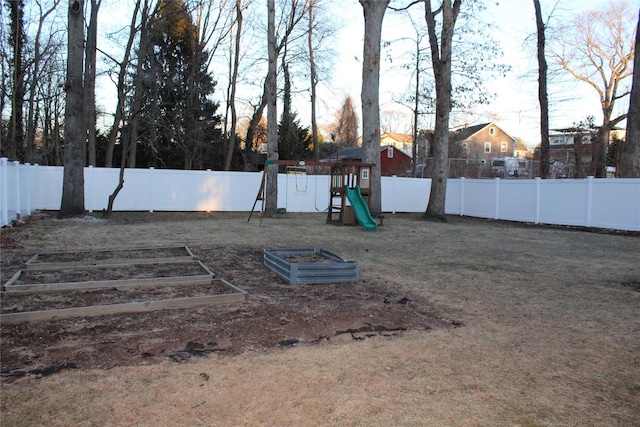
x=125, y=308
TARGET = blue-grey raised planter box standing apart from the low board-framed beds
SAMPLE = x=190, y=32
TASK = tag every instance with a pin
x=322, y=266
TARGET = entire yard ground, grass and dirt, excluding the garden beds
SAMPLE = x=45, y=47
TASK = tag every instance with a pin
x=473, y=322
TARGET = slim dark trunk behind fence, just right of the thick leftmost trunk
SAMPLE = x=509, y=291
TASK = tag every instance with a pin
x=90, y=80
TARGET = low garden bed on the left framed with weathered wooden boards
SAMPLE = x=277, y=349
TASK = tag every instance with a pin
x=75, y=284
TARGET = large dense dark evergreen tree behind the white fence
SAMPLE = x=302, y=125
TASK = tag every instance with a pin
x=178, y=116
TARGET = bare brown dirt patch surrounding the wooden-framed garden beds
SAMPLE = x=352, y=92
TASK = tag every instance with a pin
x=276, y=315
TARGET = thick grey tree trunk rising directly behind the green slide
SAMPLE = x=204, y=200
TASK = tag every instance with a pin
x=370, y=96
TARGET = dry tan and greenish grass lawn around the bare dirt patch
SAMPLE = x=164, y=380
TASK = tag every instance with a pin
x=550, y=335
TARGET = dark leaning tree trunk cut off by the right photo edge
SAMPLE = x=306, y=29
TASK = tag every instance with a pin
x=630, y=157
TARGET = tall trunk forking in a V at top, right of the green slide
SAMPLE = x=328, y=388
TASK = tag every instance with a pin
x=441, y=62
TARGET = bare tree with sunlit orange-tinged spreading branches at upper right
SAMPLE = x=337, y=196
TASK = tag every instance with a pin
x=598, y=49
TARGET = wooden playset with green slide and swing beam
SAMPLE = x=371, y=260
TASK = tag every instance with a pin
x=349, y=190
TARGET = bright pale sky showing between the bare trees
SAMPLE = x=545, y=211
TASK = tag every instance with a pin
x=515, y=106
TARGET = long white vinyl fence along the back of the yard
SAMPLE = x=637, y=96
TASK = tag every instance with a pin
x=601, y=203
